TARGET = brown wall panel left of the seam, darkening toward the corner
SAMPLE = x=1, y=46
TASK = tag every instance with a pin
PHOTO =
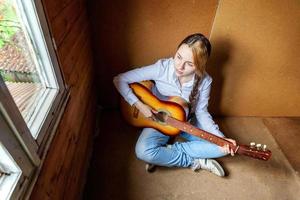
x=133, y=33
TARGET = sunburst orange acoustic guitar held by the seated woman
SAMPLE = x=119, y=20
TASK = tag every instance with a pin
x=170, y=119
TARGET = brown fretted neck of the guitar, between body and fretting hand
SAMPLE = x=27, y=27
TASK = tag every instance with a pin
x=188, y=128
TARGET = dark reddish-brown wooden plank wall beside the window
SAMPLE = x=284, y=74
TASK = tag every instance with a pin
x=63, y=173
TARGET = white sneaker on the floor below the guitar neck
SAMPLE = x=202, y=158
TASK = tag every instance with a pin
x=209, y=165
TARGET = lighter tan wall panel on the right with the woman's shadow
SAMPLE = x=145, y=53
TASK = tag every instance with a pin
x=255, y=60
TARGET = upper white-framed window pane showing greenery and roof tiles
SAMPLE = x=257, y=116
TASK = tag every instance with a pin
x=25, y=65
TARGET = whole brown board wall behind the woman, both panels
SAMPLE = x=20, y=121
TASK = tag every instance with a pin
x=255, y=55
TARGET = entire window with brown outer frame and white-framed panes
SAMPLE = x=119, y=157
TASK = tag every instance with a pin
x=32, y=94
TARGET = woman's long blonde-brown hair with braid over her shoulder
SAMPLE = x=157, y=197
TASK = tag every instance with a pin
x=201, y=49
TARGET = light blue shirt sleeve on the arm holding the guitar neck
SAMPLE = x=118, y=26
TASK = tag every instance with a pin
x=204, y=119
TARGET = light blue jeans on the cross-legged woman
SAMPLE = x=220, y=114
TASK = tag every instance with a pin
x=152, y=147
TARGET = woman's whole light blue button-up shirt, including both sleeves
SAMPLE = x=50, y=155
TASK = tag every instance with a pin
x=167, y=84
